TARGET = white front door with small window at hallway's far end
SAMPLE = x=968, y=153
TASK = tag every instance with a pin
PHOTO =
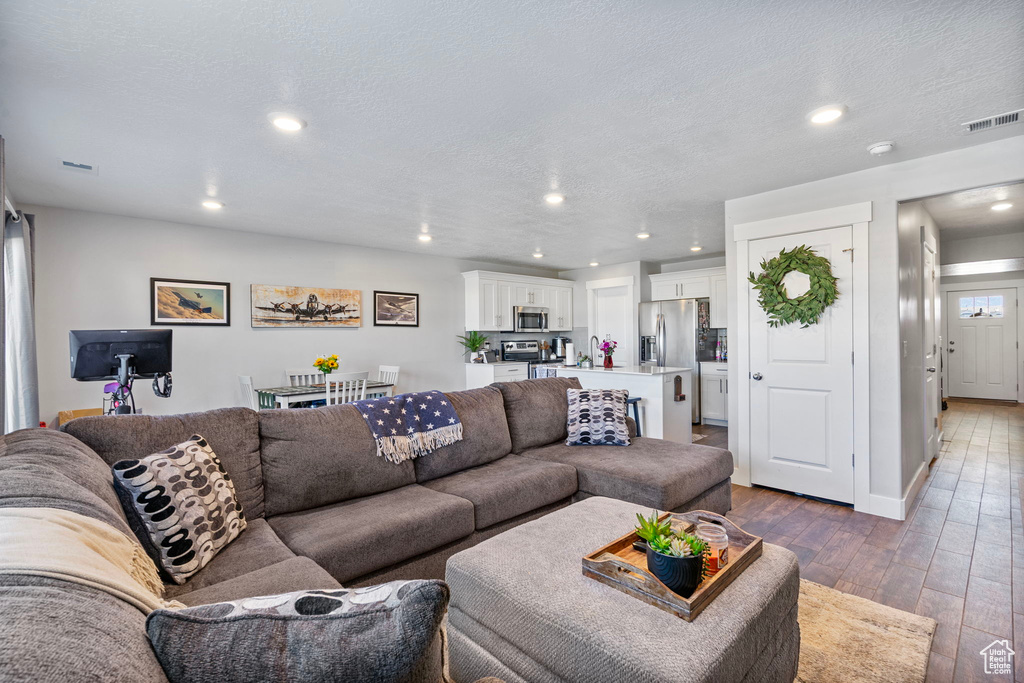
x=983, y=346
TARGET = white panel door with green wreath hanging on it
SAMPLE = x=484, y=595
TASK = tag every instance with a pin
x=802, y=382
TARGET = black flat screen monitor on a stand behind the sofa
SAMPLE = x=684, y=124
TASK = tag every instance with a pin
x=95, y=354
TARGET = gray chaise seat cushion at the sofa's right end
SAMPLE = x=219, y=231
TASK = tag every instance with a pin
x=652, y=473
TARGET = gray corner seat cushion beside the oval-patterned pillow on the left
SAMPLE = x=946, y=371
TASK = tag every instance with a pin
x=255, y=548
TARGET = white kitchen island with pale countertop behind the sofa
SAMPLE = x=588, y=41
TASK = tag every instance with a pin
x=662, y=415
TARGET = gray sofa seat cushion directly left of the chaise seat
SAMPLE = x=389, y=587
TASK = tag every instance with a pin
x=510, y=487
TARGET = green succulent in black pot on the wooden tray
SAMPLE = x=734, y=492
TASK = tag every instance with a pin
x=677, y=560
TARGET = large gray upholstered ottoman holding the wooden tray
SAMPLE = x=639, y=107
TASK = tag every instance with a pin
x=523, y=611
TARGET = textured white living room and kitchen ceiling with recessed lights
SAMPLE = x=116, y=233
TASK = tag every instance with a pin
x=462, y=114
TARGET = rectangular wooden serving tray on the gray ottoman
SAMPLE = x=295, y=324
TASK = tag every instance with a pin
x=621, y=567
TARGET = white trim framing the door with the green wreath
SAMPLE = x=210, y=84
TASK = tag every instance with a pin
x=860, y=218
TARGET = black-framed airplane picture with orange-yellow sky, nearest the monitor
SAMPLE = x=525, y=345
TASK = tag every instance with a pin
x=190, y=303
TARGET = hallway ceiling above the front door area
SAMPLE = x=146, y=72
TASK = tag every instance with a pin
x=969, y=214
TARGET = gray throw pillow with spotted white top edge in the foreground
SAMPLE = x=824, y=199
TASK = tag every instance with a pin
x=391, y=632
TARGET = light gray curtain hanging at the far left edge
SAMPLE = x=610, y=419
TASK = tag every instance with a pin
x=20, y=375
